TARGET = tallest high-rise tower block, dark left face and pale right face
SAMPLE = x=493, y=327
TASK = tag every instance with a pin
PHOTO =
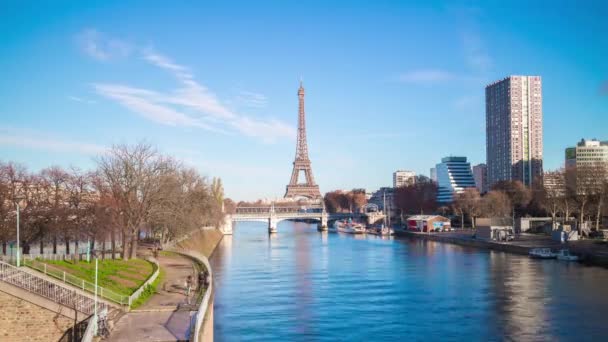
x=514, y=129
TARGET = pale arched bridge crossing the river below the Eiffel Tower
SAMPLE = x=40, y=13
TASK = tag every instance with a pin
x=274, y=214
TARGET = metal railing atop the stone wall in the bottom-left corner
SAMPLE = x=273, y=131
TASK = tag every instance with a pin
x=55, y=292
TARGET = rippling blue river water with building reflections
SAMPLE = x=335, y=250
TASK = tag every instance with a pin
x=303, y=285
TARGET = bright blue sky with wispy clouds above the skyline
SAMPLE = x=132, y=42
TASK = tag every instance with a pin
x=389, y=84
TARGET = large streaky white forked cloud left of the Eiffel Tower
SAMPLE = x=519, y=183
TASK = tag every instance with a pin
x=190, y=104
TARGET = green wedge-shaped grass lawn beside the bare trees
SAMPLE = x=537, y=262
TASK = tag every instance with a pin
x=120, y=276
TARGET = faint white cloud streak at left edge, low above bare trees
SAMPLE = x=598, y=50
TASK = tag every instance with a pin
x=33, y=140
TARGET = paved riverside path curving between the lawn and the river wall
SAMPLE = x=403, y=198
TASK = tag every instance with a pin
x=167, y=315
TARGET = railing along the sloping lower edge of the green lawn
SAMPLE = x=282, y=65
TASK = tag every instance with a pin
x=67, y=278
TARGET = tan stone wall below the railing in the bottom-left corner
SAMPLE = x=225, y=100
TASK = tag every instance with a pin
x=22, y=320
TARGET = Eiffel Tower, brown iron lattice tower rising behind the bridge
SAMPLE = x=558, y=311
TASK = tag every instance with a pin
x=308, y=189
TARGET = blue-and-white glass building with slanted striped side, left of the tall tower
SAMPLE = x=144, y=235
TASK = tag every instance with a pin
x=453, y=176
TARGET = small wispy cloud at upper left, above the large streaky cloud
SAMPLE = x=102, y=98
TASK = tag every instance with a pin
x=102, y=48
